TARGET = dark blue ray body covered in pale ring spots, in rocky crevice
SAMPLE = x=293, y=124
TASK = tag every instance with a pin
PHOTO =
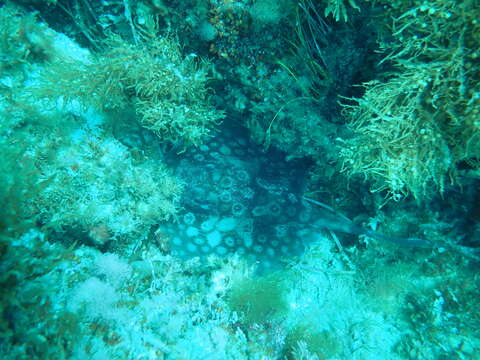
x=239, y=199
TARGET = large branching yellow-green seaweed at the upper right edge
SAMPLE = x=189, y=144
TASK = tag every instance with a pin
x=418, y=124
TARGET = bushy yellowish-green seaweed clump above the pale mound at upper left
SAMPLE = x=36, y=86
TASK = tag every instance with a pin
x=167, y=90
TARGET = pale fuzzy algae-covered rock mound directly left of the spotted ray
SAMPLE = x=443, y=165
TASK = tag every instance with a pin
x=127, y=198
